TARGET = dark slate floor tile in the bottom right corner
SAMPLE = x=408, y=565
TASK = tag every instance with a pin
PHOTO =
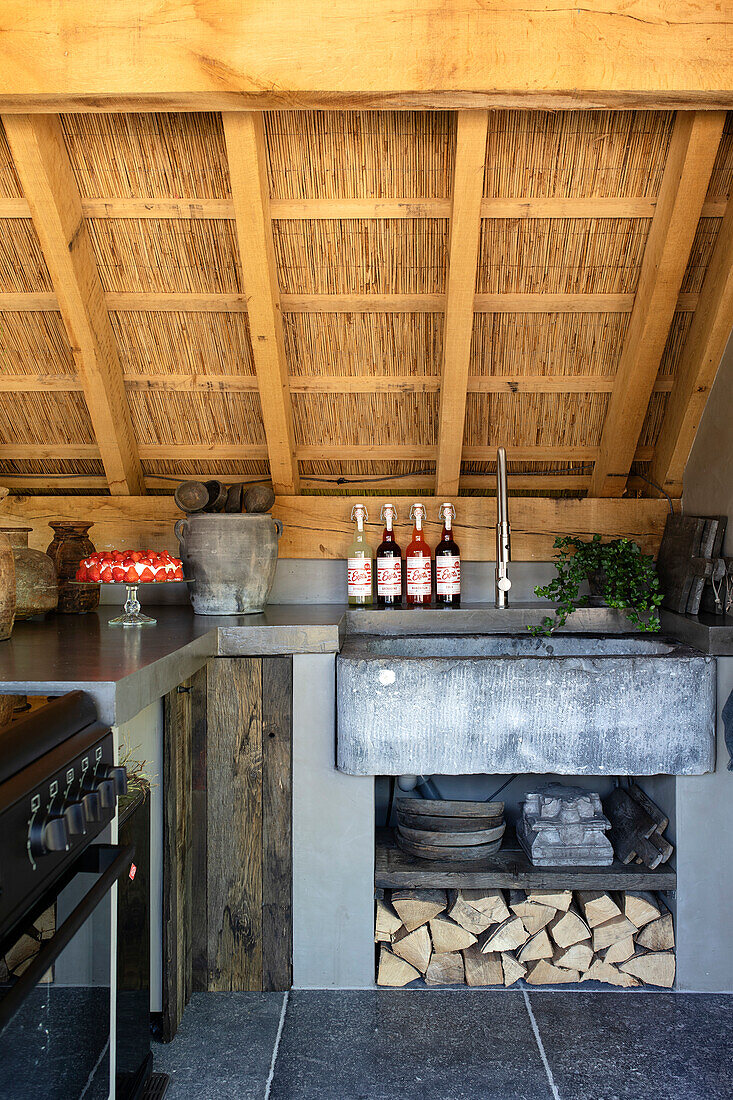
x=629, y=1047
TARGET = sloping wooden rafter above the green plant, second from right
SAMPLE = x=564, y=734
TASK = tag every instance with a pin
x=686, y=179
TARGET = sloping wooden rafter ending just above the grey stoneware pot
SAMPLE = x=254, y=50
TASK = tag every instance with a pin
x=248, y=170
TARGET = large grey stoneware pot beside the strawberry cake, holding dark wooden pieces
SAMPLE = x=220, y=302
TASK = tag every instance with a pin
x=231, y=559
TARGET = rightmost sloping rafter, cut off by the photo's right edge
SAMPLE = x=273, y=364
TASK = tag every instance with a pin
x=704, y=349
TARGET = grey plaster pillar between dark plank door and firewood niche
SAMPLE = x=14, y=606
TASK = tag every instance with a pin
x=333, y=844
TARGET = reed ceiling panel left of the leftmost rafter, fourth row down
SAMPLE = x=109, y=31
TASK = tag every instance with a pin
x=45, y=419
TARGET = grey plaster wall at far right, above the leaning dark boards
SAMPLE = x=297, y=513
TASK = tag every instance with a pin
x=709, y=472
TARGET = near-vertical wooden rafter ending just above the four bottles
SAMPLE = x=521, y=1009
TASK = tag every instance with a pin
x=473, y=128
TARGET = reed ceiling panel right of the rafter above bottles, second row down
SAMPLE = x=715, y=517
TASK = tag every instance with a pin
x=561, y=256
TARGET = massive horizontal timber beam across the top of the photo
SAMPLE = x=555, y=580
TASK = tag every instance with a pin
x=214, y=56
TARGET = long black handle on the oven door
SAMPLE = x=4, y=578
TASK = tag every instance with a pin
x=49, y=954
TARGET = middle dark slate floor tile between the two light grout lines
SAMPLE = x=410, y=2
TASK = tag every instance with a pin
x=412, y=1046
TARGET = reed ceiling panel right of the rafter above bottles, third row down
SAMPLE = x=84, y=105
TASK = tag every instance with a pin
x=551, y=345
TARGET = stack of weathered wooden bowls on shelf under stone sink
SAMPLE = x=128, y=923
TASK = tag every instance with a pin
x=450, y=831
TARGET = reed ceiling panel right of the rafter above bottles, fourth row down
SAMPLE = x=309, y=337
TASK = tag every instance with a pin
x=534, y=420
